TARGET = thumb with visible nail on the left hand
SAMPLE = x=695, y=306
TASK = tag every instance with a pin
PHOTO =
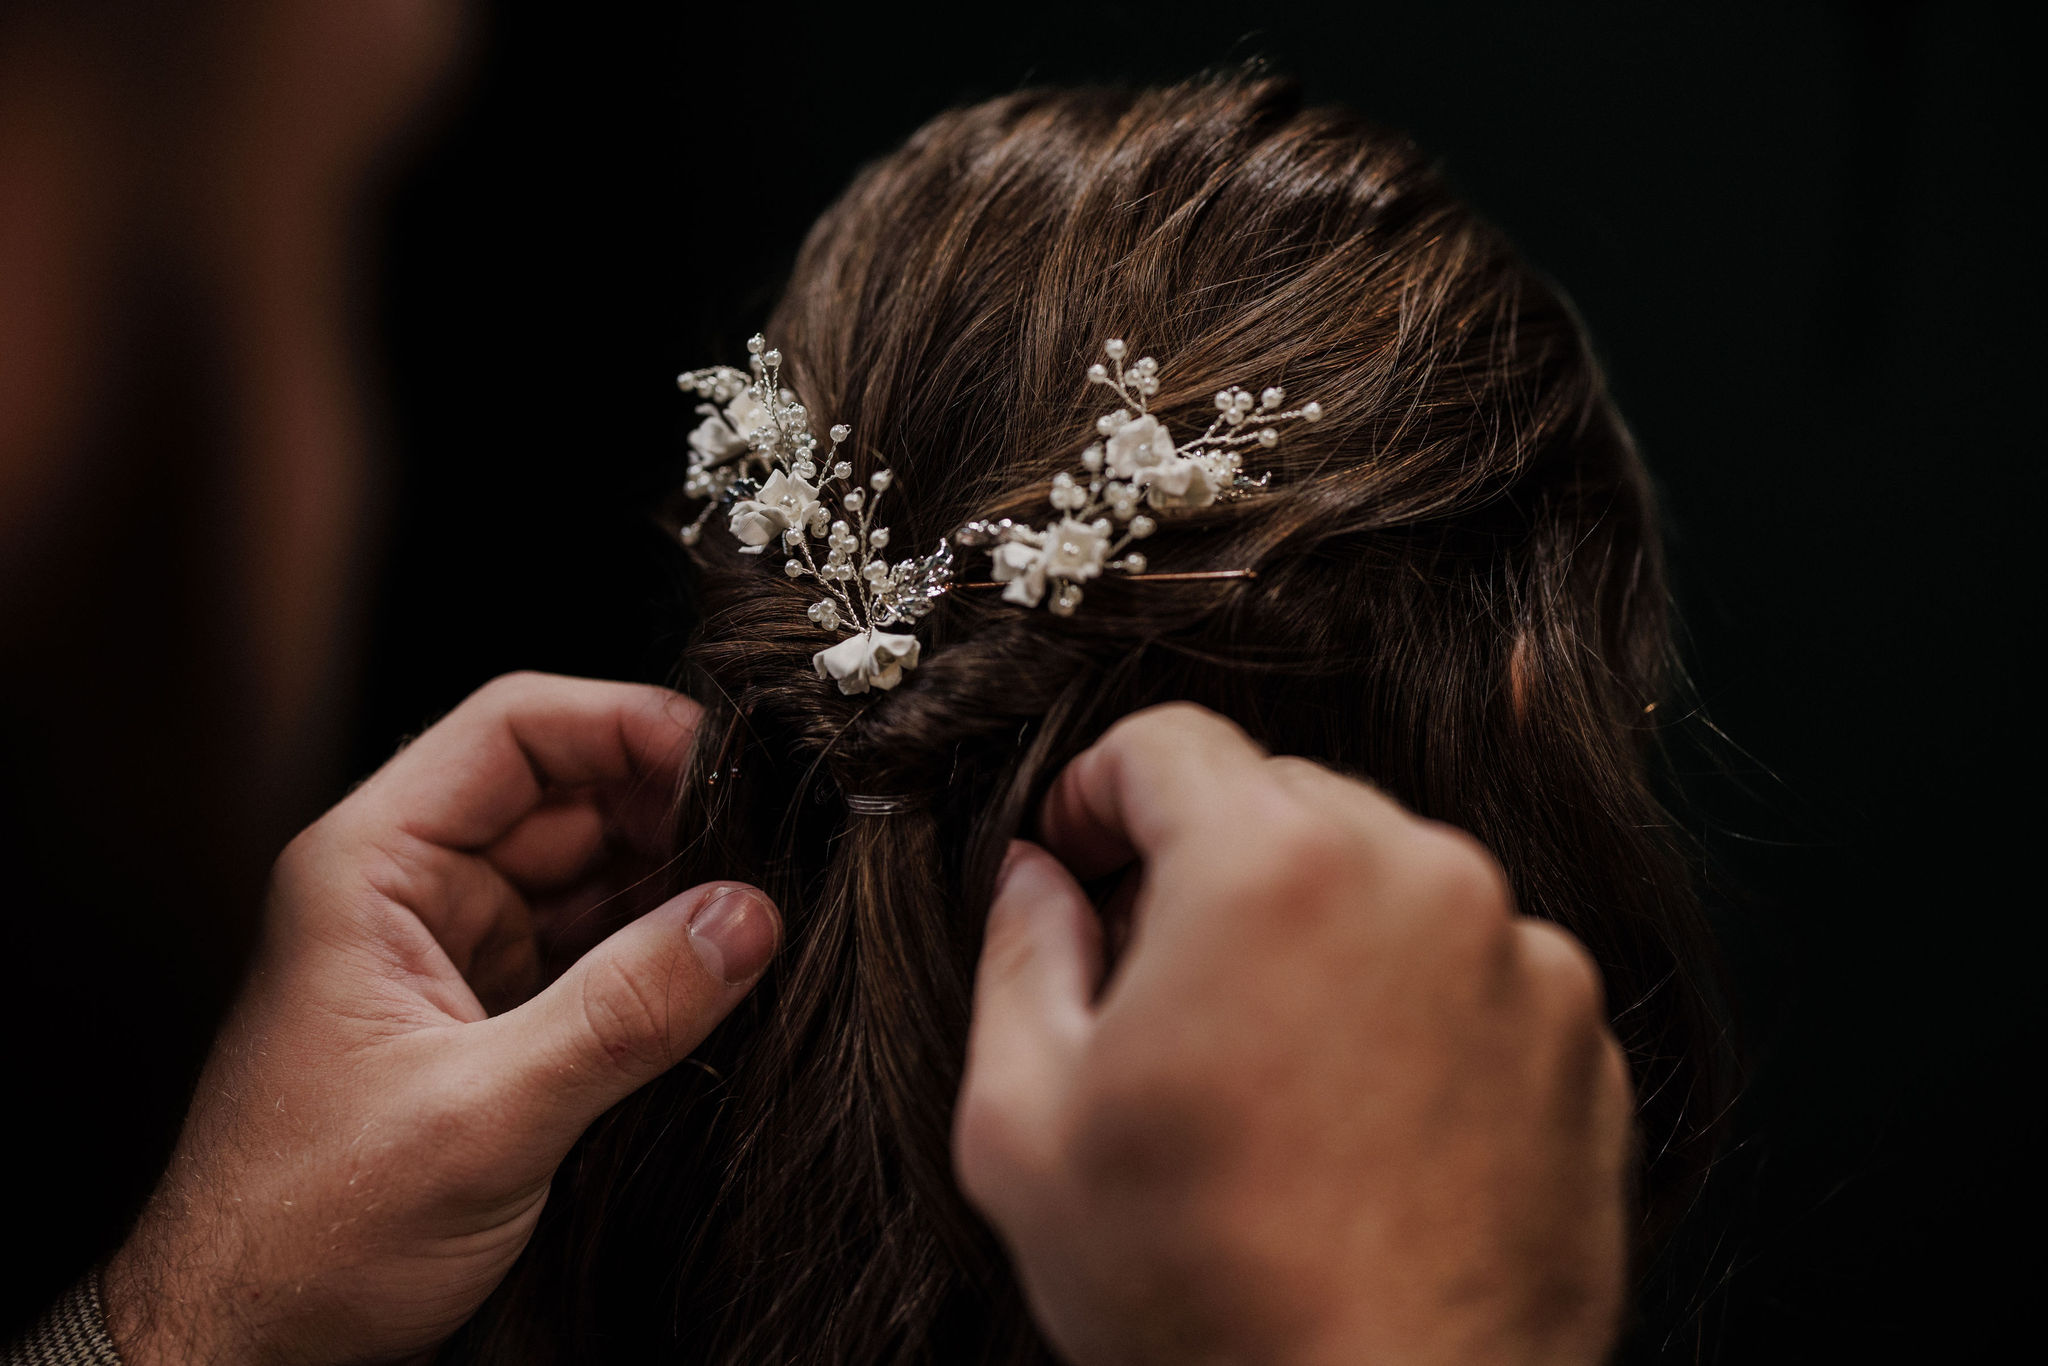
x=634, y=1007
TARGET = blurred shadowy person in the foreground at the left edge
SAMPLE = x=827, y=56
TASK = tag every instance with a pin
x=183, y=497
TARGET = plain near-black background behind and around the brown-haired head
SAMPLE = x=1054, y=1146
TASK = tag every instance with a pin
x=1797, y=234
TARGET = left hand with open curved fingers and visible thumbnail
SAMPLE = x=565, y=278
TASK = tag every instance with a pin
x=370, y=1146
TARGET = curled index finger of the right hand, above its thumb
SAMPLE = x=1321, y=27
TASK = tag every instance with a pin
x=1156, y=777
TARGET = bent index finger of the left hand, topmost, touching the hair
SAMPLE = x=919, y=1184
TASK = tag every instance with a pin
x=488, y=763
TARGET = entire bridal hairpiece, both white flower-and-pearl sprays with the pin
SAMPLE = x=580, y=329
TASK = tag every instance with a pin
x=757, y=458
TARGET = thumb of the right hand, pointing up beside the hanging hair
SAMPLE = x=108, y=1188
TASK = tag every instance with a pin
x=1041, y=964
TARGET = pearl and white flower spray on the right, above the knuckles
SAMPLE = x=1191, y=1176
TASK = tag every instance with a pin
x=1103, y=509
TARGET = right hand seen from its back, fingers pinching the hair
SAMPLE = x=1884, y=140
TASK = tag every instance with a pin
x=1338, y=1103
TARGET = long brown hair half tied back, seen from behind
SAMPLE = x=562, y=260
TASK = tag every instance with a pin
x=1459, y=595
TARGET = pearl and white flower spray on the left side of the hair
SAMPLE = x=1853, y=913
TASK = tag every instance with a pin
x=757, y=460
